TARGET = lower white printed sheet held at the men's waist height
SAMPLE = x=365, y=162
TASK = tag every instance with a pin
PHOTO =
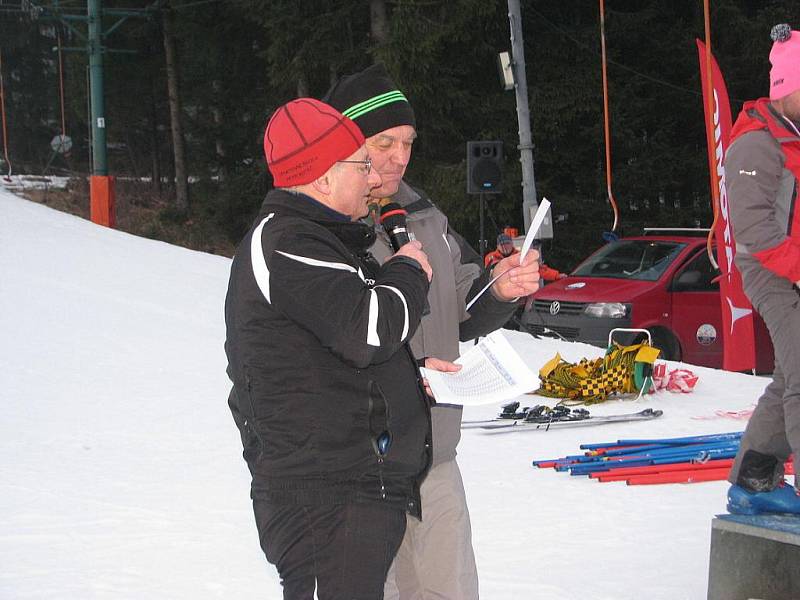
x=491, y=372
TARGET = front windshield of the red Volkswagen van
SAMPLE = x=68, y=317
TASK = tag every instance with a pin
x=644, y=260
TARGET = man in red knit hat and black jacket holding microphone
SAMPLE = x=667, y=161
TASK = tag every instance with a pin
x=326, y=394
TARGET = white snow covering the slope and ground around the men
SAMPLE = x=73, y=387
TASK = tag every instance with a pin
x=121, y=475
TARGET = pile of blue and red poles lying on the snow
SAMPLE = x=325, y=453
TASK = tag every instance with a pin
x=653, y=461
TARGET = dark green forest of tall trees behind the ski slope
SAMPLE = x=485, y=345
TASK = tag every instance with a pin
x=238, y=60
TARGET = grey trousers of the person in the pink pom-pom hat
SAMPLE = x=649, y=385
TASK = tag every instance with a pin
x=774, y=428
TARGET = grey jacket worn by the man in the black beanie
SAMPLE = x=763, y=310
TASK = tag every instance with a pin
x=455, y=281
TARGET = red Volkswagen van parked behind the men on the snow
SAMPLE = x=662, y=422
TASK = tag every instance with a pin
x=663, y=283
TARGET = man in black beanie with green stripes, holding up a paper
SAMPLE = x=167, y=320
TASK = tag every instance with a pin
x=436, y=558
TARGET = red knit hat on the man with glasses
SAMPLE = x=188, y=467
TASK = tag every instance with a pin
x=304, y=138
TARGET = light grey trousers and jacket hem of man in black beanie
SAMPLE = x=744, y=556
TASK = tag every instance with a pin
x=436, y=560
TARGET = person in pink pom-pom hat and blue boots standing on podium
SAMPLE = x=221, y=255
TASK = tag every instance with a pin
x=762, y=170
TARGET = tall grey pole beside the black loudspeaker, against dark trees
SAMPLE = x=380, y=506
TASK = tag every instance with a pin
x=529, y=202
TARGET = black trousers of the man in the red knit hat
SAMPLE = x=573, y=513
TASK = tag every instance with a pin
x=343, y=551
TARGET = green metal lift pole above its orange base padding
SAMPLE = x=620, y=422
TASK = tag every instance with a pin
x=99, y=163
